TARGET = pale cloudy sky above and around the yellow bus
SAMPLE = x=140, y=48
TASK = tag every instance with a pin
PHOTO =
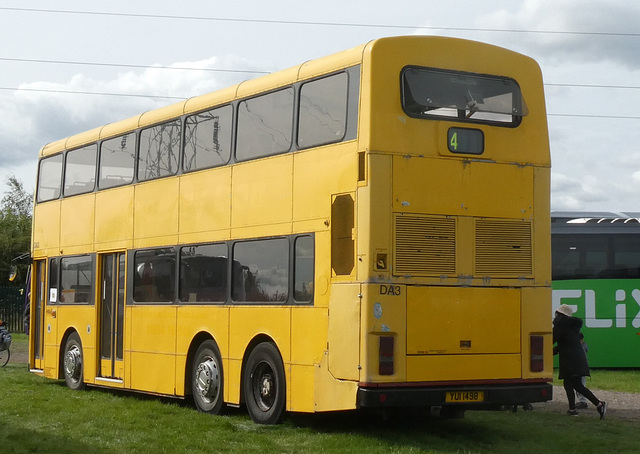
x=121, y=58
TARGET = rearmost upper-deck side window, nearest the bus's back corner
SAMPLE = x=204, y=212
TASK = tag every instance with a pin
x=323, y=111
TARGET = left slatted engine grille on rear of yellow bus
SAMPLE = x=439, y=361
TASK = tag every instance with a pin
x=425, y=246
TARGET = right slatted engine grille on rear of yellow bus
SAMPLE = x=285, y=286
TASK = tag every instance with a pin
x=503, y=248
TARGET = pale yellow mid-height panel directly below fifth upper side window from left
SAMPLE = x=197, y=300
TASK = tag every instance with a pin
x=205, y=205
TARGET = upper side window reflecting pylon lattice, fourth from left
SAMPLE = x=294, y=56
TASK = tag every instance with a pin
x=159, y=151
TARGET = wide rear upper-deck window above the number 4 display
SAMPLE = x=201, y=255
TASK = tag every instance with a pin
x=439, y=94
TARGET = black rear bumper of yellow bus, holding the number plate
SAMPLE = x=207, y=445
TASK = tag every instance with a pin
x=469, y=397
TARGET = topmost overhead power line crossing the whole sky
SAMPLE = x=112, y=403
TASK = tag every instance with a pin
x=331, y=24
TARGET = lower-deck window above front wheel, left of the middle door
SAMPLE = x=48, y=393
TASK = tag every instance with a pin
x=76, y=279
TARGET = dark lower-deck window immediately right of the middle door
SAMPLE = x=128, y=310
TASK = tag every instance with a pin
x=154, y=276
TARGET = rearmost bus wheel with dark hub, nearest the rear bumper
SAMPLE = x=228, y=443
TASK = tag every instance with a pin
x=264, y=385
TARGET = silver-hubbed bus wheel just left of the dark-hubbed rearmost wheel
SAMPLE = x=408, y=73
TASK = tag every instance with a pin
x=207, y=378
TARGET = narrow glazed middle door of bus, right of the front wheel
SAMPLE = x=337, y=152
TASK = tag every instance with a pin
x=112, y=315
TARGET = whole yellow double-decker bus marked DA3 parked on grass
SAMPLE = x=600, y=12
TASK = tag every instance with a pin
x=369, y=229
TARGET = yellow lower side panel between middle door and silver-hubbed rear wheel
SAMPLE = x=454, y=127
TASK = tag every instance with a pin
x=153, y=348
